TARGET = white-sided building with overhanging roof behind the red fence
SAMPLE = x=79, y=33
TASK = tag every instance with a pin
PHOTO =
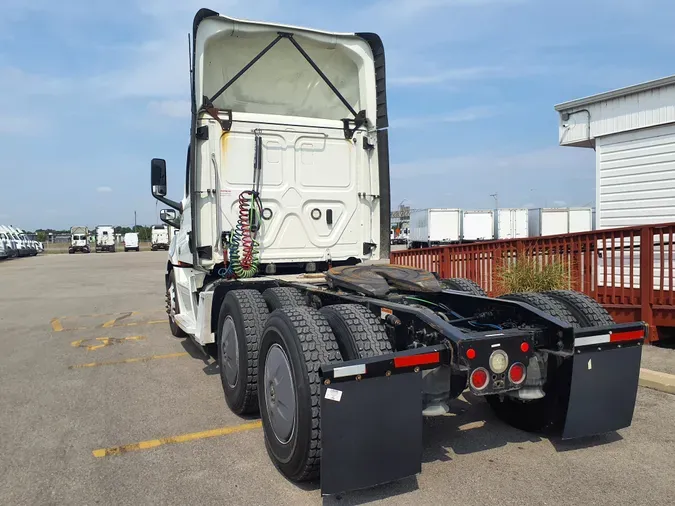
x=632, y=131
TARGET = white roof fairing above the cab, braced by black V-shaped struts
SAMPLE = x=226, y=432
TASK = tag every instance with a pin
x=282, y=82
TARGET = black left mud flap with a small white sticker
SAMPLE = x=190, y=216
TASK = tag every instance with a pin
x=371, y=432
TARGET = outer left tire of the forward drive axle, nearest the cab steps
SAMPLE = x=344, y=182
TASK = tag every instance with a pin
x=240, y=325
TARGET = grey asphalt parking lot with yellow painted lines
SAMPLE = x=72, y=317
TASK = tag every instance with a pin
x=101, y=405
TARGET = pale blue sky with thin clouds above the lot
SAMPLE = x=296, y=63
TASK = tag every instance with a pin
x=91, y=91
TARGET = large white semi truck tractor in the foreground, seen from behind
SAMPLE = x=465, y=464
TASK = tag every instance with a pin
x=287, y=202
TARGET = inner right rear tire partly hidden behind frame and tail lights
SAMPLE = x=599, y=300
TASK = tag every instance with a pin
x=548, y=413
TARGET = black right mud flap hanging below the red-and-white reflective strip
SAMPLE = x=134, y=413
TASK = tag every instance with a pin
x=603, y=390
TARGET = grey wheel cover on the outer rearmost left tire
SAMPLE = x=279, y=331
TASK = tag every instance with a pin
x=279, y=393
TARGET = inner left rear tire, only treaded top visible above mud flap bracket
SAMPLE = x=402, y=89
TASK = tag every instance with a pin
x=358, y=332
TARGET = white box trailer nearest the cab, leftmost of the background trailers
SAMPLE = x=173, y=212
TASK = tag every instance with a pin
x=430, y=227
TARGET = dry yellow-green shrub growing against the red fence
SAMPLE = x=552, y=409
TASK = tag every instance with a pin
x=528, y=274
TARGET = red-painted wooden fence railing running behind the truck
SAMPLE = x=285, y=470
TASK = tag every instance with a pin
x=628, y=270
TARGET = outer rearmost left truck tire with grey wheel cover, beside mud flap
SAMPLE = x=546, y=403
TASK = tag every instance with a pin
x=295, y=342
